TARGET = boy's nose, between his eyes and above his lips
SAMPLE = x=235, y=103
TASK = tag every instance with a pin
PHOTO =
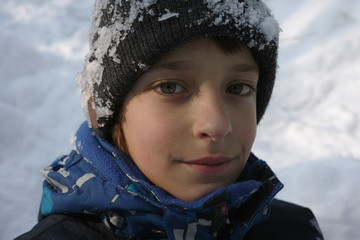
x=212, y=122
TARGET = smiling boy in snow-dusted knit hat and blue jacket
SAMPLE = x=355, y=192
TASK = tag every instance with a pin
x=173, y=92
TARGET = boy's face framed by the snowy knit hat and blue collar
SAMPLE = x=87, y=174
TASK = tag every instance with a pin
x=190, y=121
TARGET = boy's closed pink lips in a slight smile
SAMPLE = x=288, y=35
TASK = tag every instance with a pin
x=210, y=164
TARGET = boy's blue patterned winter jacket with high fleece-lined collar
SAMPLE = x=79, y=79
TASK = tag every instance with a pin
x=97, y=192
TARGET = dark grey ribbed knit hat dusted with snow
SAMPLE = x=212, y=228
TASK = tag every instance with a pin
x=128, y=36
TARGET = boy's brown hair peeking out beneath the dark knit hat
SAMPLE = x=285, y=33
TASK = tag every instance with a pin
x=227, y=44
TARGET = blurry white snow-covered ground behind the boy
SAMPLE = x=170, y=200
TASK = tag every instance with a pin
x=310, y=134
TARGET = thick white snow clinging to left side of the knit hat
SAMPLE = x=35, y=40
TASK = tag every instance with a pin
x=106, y=39
